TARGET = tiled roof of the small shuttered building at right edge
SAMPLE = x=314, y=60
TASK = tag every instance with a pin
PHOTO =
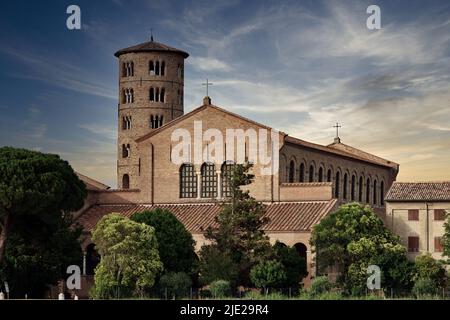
x=419, y=191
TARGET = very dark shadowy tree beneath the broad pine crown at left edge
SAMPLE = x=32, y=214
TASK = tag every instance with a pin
x=37, y=255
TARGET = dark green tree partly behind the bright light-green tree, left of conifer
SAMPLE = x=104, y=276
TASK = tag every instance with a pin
x=175, y=243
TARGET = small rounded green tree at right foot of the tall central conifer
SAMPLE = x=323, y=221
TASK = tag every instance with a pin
x=268, y=274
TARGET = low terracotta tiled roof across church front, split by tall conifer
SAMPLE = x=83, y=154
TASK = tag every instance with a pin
x=284, y=216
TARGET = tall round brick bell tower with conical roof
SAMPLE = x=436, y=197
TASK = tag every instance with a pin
x=151, y=89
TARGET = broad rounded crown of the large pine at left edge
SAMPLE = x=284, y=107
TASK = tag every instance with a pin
x=34, y=183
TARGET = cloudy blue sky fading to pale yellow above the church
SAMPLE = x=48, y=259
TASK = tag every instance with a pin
x=297, y=66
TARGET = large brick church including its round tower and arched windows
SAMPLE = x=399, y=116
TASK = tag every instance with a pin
x=308, y=182
